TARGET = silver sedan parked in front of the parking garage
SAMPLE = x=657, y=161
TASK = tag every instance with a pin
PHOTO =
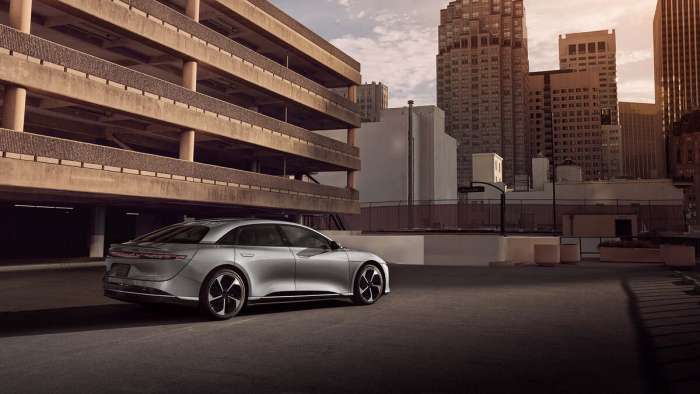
x=223, y=265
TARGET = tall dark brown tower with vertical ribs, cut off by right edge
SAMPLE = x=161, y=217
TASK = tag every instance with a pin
x=676, y=59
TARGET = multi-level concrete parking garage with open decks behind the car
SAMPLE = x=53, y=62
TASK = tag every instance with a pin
x=118, y=116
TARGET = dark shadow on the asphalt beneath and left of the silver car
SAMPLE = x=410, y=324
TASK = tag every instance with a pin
x=115, y=316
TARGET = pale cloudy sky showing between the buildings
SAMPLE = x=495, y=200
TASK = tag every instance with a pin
x=396, y=40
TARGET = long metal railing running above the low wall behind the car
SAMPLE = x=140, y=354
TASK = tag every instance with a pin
x=522, y=216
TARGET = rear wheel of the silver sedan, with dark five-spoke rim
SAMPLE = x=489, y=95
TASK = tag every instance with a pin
x=223, y=294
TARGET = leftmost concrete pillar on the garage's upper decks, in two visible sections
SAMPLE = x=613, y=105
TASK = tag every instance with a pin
x=14, y=107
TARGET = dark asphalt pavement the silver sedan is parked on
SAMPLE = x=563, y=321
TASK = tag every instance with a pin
x=579, y=329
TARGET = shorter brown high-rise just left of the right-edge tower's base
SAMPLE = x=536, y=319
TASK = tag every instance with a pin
x=643, y=151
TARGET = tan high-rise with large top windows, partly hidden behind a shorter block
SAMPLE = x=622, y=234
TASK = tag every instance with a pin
x=597, y=51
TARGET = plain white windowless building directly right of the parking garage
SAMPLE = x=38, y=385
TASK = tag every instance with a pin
x=384, y=154
